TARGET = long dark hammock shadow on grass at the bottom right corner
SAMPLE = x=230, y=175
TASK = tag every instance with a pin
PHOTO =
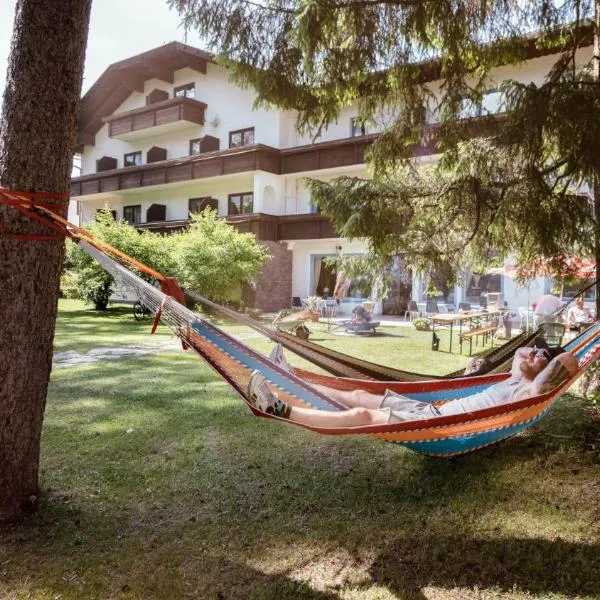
x=536, y=566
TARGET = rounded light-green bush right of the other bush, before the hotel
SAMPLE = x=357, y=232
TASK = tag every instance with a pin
x=214, y=259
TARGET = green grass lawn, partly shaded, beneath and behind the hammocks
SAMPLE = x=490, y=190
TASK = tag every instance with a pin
x=158, y=483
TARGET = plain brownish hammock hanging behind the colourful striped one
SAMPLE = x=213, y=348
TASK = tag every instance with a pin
x=344, y=365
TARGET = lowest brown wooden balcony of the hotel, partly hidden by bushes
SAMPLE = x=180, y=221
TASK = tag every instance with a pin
x=272, y=228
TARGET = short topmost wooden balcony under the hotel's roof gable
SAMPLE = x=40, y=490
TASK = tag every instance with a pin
x=158, y=118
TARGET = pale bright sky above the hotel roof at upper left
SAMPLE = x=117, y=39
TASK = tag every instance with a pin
x=119, y=29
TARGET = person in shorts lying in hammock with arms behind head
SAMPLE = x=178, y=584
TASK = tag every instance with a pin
x=534, y=371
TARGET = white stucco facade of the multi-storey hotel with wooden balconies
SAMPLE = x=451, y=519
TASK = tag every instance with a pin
x=274, y=192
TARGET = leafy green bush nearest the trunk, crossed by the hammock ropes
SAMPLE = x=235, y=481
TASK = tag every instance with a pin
x=94, y=284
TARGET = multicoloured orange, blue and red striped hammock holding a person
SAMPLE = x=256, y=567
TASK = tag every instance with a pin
x=441, y=436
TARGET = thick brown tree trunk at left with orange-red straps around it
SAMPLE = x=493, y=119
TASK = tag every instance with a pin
x=37, y=139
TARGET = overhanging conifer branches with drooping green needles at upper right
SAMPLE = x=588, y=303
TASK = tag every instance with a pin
x=412, y=67
